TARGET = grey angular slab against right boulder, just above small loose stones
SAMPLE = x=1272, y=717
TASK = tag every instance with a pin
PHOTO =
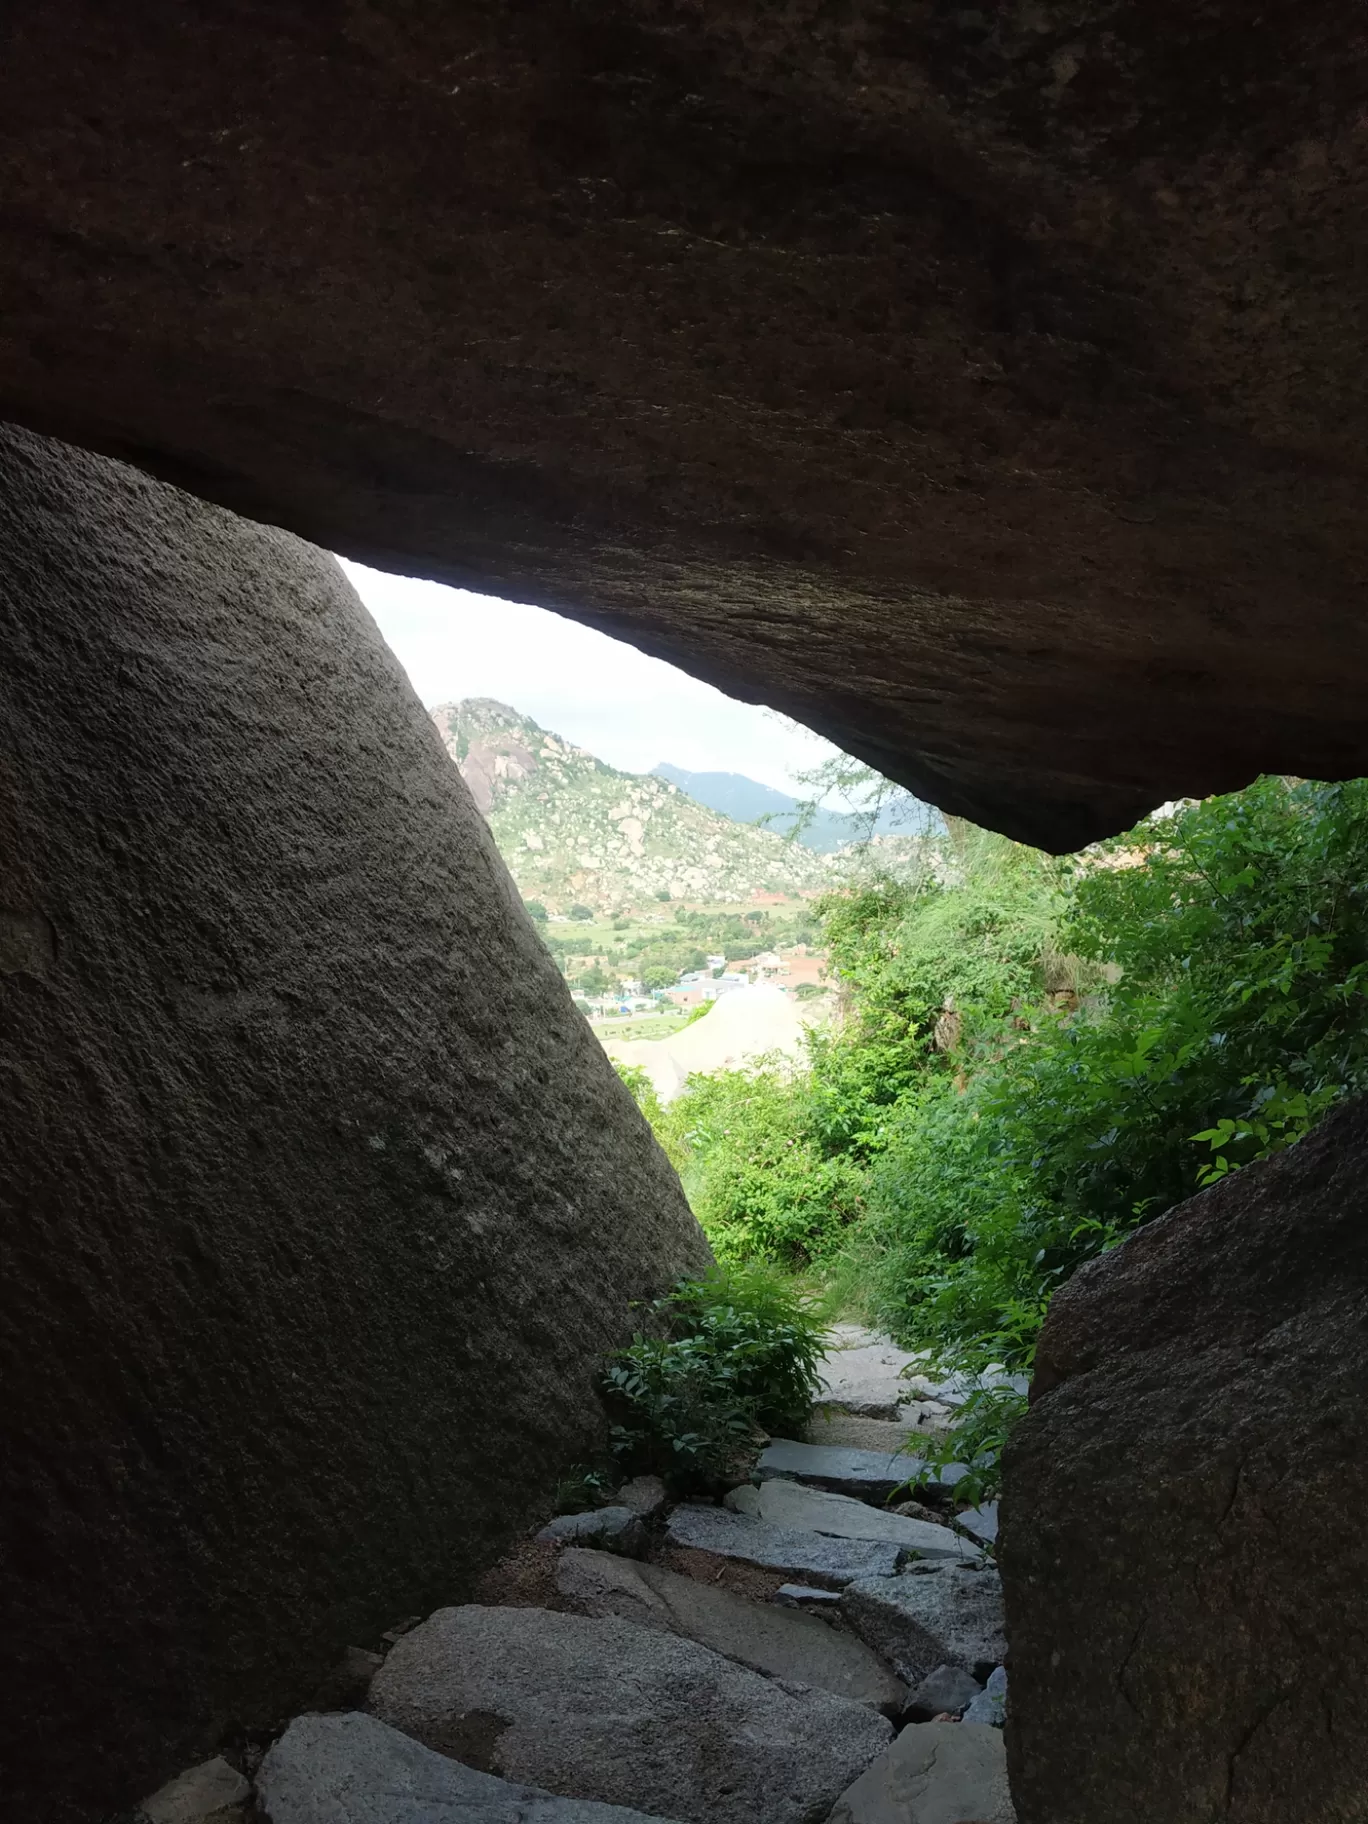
x=931, y=1615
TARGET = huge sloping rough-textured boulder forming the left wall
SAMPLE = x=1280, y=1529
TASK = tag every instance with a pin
x=318, y=1190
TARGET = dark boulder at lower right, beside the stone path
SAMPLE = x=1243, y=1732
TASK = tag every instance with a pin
x=1181, y=1513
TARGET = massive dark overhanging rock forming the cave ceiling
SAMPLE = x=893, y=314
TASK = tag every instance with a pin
x=984, y=386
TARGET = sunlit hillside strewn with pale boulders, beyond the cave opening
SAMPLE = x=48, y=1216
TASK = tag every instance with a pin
x=574, y=829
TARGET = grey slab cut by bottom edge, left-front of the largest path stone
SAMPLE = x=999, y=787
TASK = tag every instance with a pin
x=357, y=1770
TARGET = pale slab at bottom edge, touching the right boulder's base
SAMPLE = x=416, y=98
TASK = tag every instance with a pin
x=935, y=1774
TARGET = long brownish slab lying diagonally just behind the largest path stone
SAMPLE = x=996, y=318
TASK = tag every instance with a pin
x=769, y=1639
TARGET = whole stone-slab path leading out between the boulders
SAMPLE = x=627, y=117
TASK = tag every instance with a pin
x=800, y=1653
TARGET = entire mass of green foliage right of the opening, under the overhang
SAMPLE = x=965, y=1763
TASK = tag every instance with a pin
x=1037, y=1057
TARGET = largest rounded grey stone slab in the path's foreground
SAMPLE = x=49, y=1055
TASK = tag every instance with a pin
x=623, y=1714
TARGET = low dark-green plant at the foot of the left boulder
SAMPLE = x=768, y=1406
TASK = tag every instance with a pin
x=729, y=1356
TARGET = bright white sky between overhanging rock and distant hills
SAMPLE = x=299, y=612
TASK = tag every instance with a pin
x=603, y=694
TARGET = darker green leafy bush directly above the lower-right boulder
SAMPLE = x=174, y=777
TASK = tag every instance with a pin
x=1238, y=937
